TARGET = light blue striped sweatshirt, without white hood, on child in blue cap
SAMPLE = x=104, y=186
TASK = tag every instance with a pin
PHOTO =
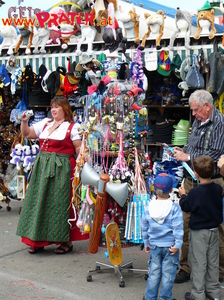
x=163, y=235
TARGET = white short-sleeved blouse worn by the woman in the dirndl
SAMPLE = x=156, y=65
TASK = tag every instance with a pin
x=57, y=134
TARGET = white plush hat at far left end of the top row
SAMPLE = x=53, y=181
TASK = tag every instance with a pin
x=10, y=38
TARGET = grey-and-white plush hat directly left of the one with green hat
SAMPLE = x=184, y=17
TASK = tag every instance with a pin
x=183, y=20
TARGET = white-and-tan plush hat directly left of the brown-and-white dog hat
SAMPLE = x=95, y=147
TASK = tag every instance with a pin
x=130, y=22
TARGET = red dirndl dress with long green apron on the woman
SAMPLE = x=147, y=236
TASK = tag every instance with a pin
x=47, y=206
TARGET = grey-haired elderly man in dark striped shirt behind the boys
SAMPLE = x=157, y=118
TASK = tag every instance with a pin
x=206, y=138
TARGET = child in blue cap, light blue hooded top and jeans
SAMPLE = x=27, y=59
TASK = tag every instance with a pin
x=162, y=231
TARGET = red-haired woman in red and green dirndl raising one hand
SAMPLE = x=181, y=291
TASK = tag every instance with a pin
x=47, y=206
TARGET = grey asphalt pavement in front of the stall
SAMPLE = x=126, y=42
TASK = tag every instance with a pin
x=47, y=276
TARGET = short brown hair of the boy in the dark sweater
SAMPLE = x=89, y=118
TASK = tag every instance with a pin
x=204, y=166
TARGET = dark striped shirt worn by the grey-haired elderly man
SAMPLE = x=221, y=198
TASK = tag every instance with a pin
x=207, y=139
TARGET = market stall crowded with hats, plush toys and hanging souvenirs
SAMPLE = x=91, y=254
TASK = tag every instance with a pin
x=127, y=89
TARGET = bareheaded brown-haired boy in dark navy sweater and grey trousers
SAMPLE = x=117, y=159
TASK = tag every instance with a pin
x=204, y=202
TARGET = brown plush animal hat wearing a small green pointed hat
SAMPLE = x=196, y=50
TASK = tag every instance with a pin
x=205, y=20
